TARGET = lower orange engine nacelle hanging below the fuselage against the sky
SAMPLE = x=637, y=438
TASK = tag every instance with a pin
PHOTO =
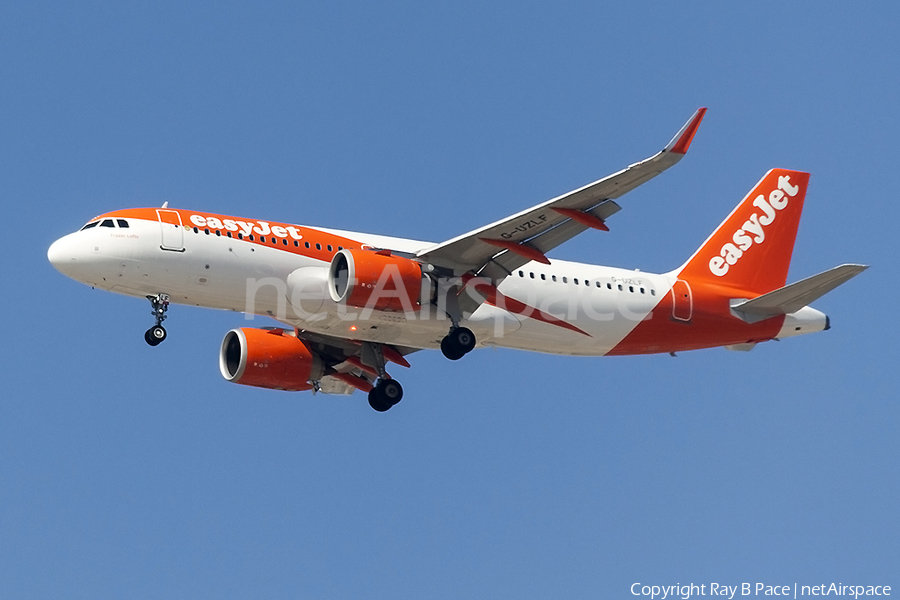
x=269, y=358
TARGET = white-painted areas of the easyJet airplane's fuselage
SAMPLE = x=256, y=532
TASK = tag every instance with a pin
x=215, y=271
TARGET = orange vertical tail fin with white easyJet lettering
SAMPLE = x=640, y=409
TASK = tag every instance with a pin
x=751, y=250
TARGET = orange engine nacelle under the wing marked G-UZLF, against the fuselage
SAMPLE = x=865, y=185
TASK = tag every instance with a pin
x=378, y=280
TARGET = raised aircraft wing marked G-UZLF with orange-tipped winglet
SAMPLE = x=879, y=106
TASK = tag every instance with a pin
x=495, y=250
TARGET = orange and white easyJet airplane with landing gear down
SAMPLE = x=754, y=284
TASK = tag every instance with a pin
x=351, y=303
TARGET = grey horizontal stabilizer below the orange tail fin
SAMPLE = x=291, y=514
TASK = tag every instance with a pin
x=792, y=298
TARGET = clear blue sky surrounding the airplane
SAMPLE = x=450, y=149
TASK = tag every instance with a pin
x=129, y=471
